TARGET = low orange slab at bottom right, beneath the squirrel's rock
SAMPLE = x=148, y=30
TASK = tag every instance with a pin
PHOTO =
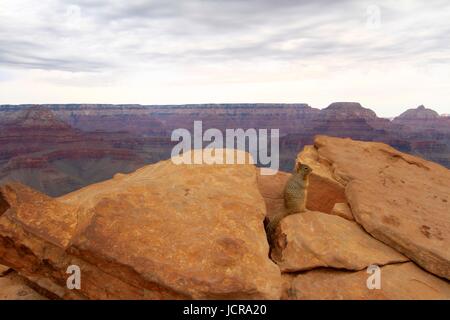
x=403, y=281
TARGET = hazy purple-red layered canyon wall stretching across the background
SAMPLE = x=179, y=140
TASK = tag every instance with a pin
x=60, y=148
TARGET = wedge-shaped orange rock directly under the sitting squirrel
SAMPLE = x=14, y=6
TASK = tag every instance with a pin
x=313, y=239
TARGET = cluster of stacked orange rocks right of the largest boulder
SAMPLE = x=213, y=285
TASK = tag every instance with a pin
x=390, y=207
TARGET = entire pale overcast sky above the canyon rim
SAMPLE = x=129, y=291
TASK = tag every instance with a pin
x=388, y=55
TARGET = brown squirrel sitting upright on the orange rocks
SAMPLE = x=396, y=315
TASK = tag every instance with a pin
x=295, y=193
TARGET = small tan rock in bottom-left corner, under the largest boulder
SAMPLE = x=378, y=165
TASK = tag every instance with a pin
x=12, y=287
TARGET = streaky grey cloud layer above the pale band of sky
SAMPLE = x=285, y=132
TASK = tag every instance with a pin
x=99, y=34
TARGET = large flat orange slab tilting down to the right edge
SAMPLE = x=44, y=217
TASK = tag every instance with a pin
x=400, y=199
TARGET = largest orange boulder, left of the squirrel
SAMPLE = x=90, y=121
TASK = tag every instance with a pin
x=165, y=231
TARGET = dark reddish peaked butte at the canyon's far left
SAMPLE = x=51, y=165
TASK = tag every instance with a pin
x=42, y=151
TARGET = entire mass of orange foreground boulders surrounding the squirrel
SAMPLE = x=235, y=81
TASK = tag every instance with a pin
x=170, y=231
